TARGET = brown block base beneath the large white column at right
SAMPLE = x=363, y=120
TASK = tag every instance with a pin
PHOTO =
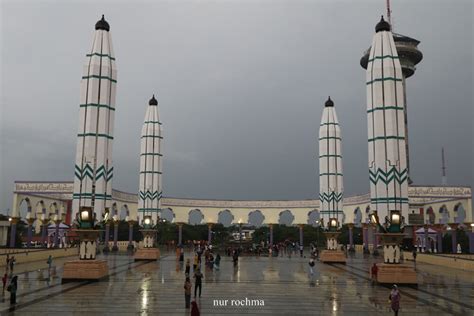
x=396, y=274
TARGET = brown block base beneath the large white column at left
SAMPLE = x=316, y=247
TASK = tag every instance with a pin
x=85, y=270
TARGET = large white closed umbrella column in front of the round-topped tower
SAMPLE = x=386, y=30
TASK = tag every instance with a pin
x=386, y=126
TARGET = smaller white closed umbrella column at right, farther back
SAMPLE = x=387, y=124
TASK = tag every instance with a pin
x=330, y=165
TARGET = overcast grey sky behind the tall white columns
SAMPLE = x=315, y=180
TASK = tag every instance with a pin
x=241, y=87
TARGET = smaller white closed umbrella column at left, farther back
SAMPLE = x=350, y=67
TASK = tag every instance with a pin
x=150, y=164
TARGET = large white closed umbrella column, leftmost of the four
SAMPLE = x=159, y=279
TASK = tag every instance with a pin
x=93, y=170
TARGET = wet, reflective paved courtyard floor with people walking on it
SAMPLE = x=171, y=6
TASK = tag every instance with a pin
x=282, y=284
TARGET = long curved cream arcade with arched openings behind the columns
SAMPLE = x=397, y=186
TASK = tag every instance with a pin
x=427, y=205
